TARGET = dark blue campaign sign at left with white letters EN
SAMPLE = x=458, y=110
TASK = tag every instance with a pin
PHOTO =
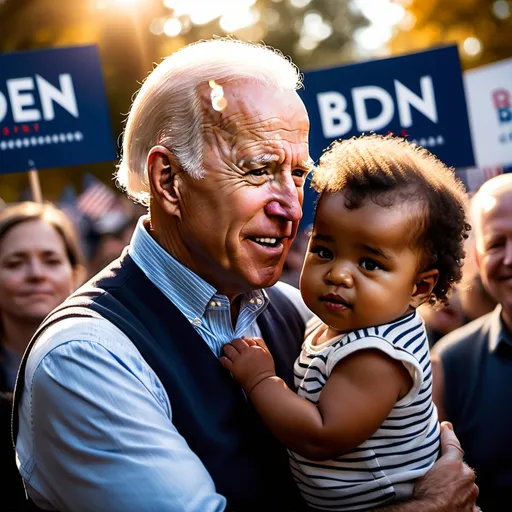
x=53, y=109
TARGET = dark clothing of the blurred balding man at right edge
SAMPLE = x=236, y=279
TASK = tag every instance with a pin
x=477, y=366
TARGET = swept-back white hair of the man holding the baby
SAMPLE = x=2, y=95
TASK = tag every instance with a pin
x=167, y=110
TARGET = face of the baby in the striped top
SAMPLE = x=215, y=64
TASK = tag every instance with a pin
x=360, y=269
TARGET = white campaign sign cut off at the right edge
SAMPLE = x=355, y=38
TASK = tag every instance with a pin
x=489, y=96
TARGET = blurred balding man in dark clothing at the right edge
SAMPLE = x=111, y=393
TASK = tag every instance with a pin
x=473, y=365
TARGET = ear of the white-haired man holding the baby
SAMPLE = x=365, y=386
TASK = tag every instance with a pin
x=163, y=175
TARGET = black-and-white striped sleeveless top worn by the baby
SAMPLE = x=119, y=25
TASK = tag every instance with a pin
x=404, y=447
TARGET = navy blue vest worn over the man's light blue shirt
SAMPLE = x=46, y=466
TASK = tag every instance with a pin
x=248, y=465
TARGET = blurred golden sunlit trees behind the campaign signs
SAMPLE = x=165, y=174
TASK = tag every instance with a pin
x=134, y=35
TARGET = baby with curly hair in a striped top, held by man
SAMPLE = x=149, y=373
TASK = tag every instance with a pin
x=388, y=236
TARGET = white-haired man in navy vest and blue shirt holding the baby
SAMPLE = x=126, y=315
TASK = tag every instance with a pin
x=125, y=406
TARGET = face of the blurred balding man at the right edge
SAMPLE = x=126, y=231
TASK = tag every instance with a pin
x=494, y=248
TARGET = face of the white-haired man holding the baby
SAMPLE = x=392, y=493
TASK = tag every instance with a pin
x=239, y=221
